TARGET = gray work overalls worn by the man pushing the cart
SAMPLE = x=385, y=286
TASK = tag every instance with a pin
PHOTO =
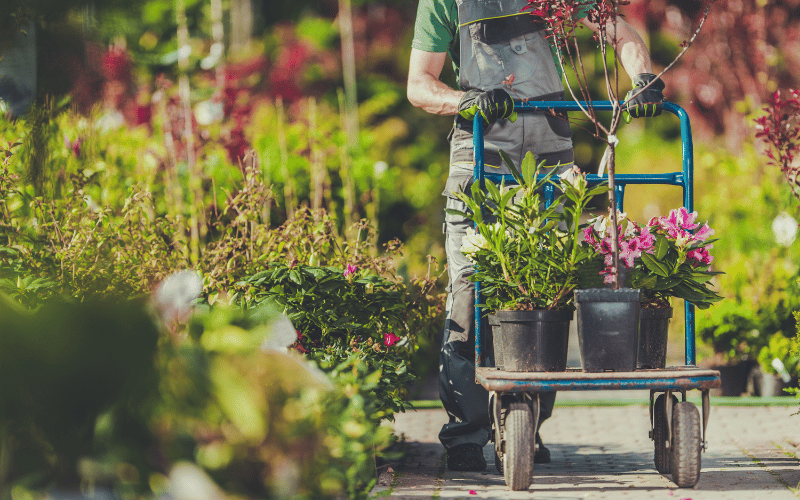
x=497, y=40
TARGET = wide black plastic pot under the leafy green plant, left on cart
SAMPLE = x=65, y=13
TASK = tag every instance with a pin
x=534, y=341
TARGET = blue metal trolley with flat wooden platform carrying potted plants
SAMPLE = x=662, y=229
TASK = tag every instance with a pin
x=676, y=427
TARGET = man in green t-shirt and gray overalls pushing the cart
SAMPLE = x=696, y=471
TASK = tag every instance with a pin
x=495, y=46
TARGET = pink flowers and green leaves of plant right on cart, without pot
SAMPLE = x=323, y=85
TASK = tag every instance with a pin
x=667, y=257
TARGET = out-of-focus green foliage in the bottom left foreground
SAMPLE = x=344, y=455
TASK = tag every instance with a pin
x=93, y=393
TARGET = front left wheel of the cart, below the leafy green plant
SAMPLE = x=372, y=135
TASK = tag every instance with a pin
x=518, y=459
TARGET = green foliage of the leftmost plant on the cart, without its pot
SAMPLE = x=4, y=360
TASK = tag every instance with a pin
x=527, y=257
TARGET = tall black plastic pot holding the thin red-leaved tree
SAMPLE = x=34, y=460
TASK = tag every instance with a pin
x=608, y=328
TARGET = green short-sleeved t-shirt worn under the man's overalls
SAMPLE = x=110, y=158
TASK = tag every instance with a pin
x=436, y=29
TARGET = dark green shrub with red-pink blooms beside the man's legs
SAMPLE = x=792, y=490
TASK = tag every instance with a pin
x=344, y=314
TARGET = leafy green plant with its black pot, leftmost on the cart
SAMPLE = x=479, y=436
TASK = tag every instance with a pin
x=528, y=259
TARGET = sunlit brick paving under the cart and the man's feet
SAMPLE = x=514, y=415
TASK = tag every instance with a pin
x=604, y=452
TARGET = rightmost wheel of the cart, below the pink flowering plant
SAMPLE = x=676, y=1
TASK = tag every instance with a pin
x=685, y=458
